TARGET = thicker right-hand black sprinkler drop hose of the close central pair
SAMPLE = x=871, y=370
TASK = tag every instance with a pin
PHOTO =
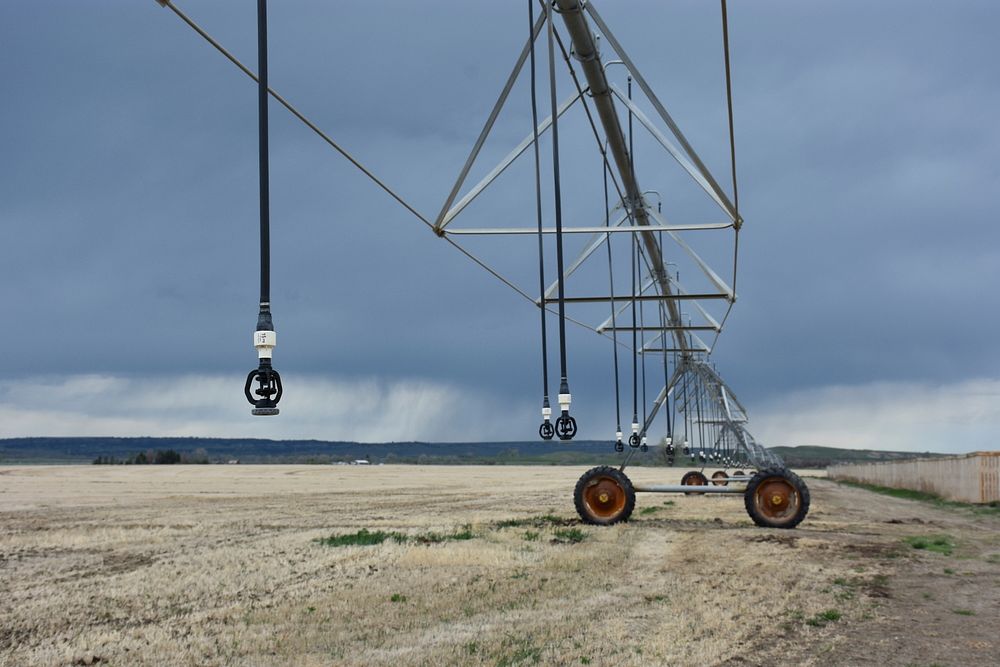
x=565, y=424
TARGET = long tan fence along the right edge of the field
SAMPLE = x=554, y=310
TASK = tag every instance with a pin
x=969, y=478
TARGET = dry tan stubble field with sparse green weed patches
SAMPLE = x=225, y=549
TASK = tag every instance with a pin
x=224, y=565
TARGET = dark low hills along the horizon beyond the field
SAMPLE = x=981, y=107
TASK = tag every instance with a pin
x=250, y=450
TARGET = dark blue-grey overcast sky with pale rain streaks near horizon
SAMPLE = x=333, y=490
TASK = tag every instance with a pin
x=868, y=159
